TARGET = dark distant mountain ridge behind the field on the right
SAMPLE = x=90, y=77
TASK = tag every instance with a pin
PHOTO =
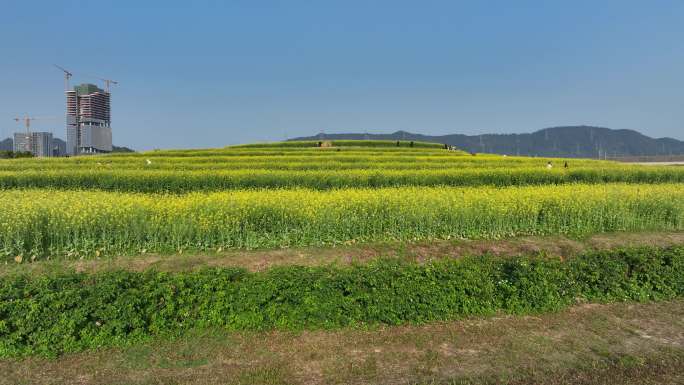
x=567, y=141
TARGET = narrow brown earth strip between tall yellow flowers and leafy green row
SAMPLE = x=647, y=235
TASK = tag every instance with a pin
x=255, y=260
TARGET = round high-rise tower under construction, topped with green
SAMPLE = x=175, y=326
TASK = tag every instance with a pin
x=88, y=117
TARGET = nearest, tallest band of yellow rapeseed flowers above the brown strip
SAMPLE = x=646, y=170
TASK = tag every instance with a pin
x=52, y=223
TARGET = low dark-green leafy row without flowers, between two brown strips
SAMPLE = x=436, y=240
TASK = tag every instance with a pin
x=55, y=314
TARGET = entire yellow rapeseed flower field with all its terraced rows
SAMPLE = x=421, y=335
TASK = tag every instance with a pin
x=275, y=195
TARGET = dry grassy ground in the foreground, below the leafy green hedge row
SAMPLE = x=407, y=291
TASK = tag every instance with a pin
x=590, y=344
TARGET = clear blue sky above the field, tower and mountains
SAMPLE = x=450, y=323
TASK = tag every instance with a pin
x=212, y=73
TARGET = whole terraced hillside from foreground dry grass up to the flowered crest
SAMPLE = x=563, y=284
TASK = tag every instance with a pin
x=356, y=257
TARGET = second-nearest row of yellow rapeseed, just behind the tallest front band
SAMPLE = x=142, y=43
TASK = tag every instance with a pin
x=178, y=181
